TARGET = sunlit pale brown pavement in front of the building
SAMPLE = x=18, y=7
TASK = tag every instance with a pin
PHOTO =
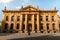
x=23, y=35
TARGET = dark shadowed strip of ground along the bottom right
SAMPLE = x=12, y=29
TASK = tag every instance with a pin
x=40, y=38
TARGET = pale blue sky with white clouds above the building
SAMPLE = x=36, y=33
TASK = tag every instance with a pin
x=16, y=4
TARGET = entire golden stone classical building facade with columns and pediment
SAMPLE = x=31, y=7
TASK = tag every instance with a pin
x=30, y=19
